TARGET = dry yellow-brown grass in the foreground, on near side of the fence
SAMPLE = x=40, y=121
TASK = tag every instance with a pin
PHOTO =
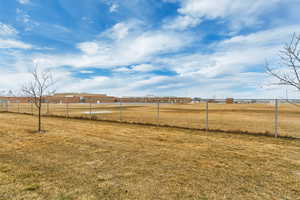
x=81, y=159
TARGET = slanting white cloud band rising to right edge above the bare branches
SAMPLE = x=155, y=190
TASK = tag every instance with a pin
x=233, y=55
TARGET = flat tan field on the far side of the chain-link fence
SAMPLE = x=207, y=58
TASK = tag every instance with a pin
x=255, y=118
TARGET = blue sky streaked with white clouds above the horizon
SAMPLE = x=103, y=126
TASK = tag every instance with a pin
x=203, y=48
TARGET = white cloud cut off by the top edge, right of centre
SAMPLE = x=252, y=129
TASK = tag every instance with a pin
x=238, y=13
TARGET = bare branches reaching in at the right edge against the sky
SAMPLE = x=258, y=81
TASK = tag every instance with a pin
x=289, y=74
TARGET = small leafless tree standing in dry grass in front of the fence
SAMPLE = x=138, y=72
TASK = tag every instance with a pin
x=39, y=87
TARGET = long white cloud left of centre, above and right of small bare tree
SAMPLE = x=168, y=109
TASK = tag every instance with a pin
x=132, y=48
